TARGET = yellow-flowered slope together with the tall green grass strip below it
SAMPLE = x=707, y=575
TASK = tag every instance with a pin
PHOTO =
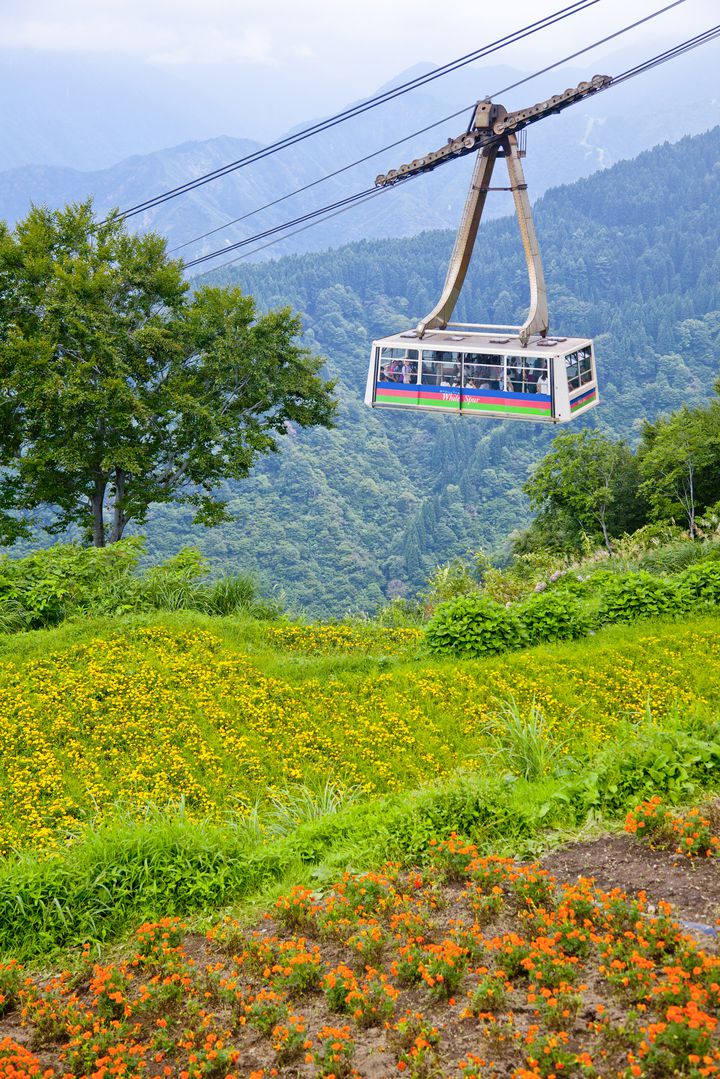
x=165, y=763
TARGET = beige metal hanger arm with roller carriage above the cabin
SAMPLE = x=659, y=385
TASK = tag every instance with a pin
x=493, y=134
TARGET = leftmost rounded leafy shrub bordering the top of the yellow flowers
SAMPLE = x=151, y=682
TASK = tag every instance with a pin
x=473, y=626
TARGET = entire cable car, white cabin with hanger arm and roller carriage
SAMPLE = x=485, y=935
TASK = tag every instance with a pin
x=472, y=370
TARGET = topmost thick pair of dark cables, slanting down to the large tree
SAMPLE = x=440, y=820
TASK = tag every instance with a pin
x=356, y=111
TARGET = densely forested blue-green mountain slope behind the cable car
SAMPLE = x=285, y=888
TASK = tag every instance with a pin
x=343, y=520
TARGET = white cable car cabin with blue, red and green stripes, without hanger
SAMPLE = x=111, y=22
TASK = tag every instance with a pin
x=490, y=376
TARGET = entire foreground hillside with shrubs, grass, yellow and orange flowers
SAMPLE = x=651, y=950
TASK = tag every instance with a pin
x=180, y=757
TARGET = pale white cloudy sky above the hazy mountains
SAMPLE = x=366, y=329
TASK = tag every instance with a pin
x=289, y=62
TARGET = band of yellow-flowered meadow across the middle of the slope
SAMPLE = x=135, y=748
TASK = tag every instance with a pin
x=221, y=715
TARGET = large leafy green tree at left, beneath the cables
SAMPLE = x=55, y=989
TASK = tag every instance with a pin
x=119, y=389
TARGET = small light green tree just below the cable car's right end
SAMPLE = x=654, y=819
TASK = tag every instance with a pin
x=591, y=483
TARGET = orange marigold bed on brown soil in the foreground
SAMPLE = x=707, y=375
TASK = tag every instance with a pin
x=480, y=967
